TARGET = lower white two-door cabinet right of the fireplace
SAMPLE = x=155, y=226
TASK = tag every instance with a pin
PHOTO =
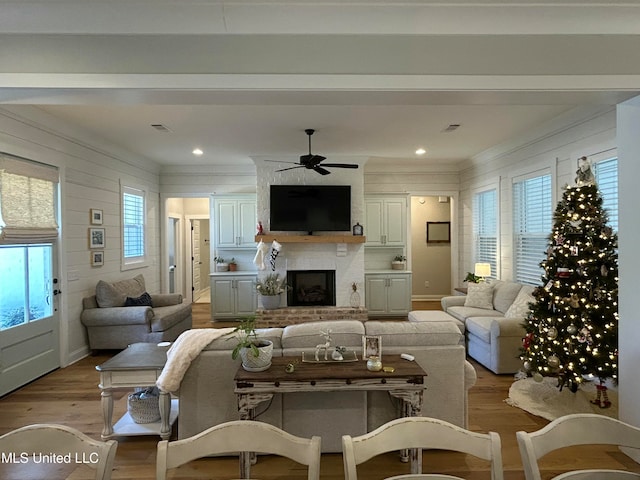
x=388, y=294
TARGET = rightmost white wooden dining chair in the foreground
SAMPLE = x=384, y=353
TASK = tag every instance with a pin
x=573, y=430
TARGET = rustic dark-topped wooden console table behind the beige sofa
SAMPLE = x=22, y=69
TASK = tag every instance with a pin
x=406, y=382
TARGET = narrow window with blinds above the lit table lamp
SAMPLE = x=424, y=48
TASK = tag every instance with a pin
x=485, y=228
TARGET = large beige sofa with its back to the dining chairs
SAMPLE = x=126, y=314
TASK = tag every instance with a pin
x=207, y=397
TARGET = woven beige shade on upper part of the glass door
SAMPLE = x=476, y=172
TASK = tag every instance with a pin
x=28, y=192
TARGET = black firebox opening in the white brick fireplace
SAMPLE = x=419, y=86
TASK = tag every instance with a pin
x=311, y=287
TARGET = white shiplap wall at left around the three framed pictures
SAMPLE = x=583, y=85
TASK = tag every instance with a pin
x=90, y=175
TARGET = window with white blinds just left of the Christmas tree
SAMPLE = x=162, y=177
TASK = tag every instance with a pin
x=532, y=221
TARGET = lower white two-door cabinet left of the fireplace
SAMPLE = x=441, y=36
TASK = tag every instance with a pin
x=233, y=296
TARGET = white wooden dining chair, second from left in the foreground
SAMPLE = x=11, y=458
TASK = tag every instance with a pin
x=240, y=436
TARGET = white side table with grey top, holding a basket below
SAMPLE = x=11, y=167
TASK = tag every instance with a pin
x=139, y=365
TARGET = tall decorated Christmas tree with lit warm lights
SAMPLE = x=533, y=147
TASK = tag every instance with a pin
x=572, y=327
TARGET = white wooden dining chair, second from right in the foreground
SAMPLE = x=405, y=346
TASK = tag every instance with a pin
x=421, y=433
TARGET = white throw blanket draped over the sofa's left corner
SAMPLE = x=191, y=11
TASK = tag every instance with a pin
x=180, y=355
